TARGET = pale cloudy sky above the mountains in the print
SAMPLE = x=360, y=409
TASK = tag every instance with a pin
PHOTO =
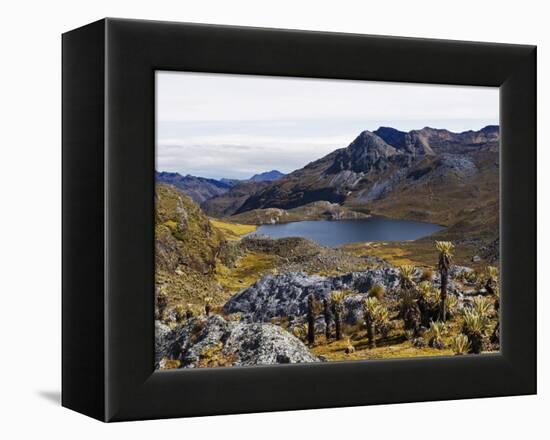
x=234, y=126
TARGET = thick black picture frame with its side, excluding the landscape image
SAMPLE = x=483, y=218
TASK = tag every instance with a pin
x=108, y=219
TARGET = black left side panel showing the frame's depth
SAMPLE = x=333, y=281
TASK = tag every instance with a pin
x=83, y=342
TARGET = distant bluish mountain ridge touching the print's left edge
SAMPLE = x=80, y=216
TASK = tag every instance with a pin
x=199, y=189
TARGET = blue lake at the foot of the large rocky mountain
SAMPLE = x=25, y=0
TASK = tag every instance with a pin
x=335, y=233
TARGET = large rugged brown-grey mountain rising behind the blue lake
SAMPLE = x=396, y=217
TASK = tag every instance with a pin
x=428, y=174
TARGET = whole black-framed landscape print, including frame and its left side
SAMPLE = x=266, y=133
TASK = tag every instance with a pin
x=262, y=219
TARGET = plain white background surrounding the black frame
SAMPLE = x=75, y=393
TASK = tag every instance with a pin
x=30, y=283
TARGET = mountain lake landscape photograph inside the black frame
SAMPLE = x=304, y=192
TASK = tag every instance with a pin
x=306, y=221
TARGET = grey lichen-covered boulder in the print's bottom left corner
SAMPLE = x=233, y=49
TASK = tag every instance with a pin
x=216, y=342
